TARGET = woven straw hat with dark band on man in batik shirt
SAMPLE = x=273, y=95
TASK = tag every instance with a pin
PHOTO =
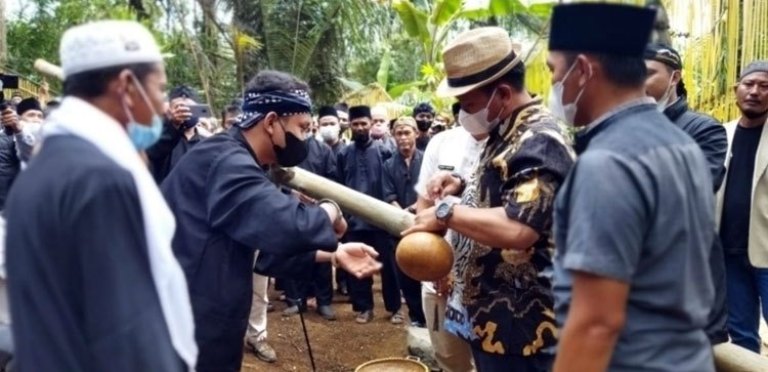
x=476, y=58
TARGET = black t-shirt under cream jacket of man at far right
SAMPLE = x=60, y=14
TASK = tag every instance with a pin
x=734, y=228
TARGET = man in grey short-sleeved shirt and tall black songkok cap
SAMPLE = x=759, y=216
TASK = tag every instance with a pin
x=633, y=224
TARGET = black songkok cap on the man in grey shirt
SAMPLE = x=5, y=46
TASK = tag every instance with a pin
x=612, y=29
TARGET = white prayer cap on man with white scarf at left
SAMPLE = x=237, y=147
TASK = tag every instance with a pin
x=102, y=44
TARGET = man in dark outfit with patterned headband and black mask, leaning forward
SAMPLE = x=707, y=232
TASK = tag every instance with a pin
x=227, y=208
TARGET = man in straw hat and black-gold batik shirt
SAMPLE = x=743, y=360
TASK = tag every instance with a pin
x=501, y=301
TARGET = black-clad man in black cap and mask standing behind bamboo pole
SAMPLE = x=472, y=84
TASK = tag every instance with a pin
x=360, y=166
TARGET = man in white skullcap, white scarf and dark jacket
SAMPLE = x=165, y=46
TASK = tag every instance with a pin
x=92, y=281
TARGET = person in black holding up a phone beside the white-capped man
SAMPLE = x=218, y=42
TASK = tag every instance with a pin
x=179, y=133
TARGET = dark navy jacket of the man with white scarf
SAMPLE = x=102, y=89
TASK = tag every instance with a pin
x=79, y=275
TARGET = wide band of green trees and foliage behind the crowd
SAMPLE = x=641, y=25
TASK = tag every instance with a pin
x=336, y=46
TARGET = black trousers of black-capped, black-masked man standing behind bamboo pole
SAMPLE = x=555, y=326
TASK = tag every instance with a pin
x=361, y=290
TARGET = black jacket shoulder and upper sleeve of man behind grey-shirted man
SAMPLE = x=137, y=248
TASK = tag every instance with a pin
x=707, y=132
